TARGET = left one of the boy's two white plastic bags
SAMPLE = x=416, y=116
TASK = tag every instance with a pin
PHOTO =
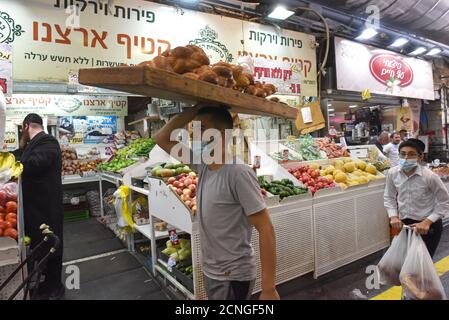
x=390, y=265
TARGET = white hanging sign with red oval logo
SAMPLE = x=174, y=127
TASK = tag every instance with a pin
x=361, y=67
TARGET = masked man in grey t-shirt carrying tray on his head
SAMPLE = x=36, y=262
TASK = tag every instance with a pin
x=229, y=204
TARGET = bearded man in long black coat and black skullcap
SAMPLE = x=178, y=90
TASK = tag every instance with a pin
x=40, y=155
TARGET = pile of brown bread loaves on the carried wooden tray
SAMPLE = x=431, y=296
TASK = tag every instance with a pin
x=192, y=62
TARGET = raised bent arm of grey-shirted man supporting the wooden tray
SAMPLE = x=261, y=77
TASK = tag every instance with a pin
x=162, y=137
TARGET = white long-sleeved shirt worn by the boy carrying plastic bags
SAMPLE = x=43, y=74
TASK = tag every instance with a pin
x=420, y=196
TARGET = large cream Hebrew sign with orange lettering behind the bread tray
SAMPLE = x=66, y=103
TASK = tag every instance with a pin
x=51, y=40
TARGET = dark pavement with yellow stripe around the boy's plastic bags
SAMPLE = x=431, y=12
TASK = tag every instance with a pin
x=348, y=283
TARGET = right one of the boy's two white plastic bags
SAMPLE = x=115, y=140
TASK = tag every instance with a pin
x=418, y=277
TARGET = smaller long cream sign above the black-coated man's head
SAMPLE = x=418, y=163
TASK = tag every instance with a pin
x=61, y=105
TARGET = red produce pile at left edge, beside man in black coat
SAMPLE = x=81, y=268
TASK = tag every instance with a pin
x=8, y=210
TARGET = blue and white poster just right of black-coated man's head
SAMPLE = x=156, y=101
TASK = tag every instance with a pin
x=87, y=129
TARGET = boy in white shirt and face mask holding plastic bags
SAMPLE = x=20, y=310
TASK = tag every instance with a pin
x=416, y=196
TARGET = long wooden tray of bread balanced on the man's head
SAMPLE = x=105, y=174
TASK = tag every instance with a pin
x=158, y=83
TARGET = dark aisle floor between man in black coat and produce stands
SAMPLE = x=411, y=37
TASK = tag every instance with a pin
x=107, y=270
